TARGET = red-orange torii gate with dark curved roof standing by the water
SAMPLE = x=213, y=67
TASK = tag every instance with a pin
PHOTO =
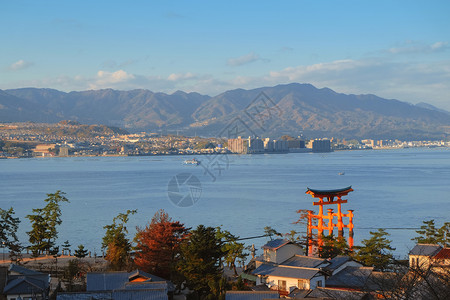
x=321, y=217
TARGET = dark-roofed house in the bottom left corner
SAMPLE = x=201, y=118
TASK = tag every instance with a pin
x=23, y=283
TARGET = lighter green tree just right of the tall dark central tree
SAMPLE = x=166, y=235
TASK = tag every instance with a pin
x=232, y=249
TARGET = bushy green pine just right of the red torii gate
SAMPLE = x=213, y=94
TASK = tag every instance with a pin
x=376, y=251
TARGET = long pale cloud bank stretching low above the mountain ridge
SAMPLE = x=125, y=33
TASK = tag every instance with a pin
x=409, y=81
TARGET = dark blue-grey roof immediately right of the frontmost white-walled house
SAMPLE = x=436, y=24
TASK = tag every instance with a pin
x=350, y=277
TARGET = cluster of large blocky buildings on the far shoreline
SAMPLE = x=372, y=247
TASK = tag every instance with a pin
x=255, y=145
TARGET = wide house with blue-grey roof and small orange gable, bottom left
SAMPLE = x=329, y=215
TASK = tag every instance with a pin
x=123, y=285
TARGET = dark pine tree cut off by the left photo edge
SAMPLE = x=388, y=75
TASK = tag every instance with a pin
x=8, y=232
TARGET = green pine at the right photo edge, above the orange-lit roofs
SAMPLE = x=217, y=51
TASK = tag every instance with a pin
x=429, y=234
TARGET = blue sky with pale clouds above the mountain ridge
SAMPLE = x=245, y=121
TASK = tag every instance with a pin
x=394, y=49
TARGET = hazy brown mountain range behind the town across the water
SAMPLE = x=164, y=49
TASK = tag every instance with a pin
x=303, y=109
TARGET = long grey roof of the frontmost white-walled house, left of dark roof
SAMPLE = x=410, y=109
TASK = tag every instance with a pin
x=286, y=271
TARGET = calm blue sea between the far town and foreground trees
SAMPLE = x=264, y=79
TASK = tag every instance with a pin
x=393, y=189
